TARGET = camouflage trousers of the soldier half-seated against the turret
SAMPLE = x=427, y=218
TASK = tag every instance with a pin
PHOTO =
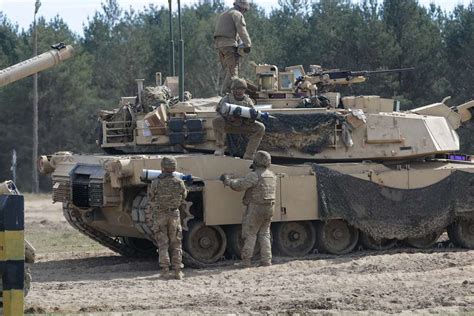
x=254, y=130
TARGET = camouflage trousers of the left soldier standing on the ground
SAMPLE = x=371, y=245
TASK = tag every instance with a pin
x=169, y=236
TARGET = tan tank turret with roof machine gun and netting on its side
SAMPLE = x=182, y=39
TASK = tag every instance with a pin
x=303, y=120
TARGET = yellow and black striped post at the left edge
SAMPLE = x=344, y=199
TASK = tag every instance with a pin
x=12, y=253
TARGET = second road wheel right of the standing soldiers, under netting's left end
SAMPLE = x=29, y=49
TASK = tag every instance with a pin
x=336, y=237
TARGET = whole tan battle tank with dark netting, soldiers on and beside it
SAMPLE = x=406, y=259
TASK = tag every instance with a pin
x=349, y=169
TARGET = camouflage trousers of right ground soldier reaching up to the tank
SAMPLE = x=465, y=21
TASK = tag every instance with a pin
x=256, y=224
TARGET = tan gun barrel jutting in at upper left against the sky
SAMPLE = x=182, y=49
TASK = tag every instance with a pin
x=59, y=53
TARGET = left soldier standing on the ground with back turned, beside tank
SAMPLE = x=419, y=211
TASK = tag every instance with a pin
x=165, y=195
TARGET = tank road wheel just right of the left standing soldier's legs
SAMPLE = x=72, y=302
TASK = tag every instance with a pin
x=204, y=243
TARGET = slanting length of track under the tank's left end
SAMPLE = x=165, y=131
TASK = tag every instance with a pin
x=74, y=218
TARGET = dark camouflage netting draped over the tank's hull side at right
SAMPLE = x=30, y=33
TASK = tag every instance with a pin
x=394, y=213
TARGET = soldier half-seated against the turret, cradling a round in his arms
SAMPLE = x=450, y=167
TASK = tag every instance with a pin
x=225, y=123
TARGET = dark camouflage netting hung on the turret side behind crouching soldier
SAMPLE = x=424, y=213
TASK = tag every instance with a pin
x=309, y=133
